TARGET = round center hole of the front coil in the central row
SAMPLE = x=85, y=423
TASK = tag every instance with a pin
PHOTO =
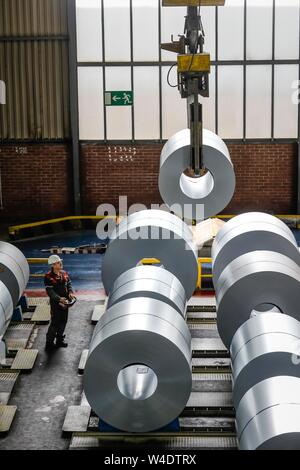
x=137, y=382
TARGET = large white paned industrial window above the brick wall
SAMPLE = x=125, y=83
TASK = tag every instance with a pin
x=254, y=46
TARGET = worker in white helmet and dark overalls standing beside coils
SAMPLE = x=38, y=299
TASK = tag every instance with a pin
x=59, y=289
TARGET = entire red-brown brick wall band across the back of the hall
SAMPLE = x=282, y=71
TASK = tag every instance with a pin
x=36, y=179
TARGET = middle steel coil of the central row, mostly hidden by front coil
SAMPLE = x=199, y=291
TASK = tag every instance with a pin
x=149, y=281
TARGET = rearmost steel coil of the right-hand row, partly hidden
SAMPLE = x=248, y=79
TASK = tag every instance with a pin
x=251, y=232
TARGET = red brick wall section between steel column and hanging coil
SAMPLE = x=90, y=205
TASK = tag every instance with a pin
x=108, y=172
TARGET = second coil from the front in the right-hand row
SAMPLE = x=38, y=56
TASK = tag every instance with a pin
x=262, y=348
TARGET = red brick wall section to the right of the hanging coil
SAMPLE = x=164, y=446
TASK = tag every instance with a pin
x=266, y=177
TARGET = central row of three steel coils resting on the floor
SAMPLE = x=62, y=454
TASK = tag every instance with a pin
x=138, y=373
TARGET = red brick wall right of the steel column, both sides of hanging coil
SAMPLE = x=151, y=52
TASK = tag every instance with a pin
x=265, y=173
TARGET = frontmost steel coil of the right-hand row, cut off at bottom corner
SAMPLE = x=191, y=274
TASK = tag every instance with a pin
x=268, y=416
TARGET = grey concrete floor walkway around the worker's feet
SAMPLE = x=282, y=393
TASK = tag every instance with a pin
x=43, y=396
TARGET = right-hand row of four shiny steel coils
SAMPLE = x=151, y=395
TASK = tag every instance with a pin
x=256, y=268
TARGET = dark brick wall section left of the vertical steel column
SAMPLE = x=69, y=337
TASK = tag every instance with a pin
x=36, y=182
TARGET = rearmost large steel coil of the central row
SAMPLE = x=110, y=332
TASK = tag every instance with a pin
x=152, y=234
